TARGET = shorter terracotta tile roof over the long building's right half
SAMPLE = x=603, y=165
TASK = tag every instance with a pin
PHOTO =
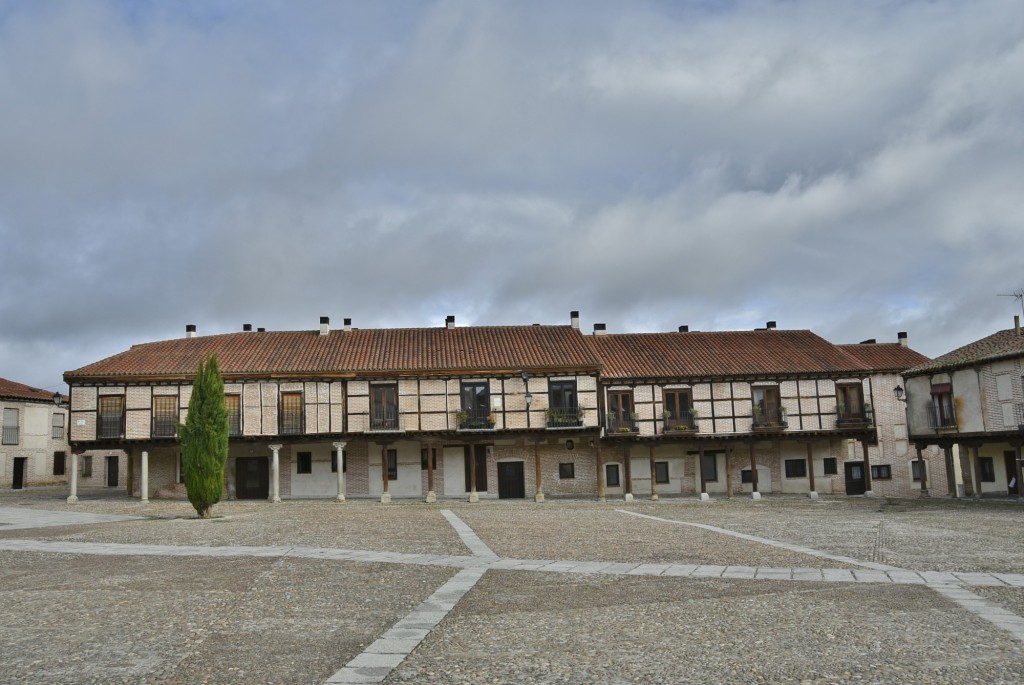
x=734, y=354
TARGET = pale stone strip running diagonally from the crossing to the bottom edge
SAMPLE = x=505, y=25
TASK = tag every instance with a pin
x=386, y=654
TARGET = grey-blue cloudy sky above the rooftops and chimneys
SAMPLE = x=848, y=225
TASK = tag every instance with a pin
x=856, y=168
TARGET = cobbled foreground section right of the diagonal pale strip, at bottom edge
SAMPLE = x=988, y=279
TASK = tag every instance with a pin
x=520, y=628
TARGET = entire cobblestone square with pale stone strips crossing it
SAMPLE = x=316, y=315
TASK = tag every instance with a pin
x=785, y=590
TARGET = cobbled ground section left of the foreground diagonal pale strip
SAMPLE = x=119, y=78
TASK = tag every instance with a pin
x=76, y=620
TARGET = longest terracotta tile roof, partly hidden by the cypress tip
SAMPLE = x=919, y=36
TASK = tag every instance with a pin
x=360, y=352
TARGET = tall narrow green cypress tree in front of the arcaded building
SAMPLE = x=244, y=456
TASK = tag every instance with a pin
x=204, y=439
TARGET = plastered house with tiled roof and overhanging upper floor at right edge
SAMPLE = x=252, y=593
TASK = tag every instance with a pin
x=969, y=404
